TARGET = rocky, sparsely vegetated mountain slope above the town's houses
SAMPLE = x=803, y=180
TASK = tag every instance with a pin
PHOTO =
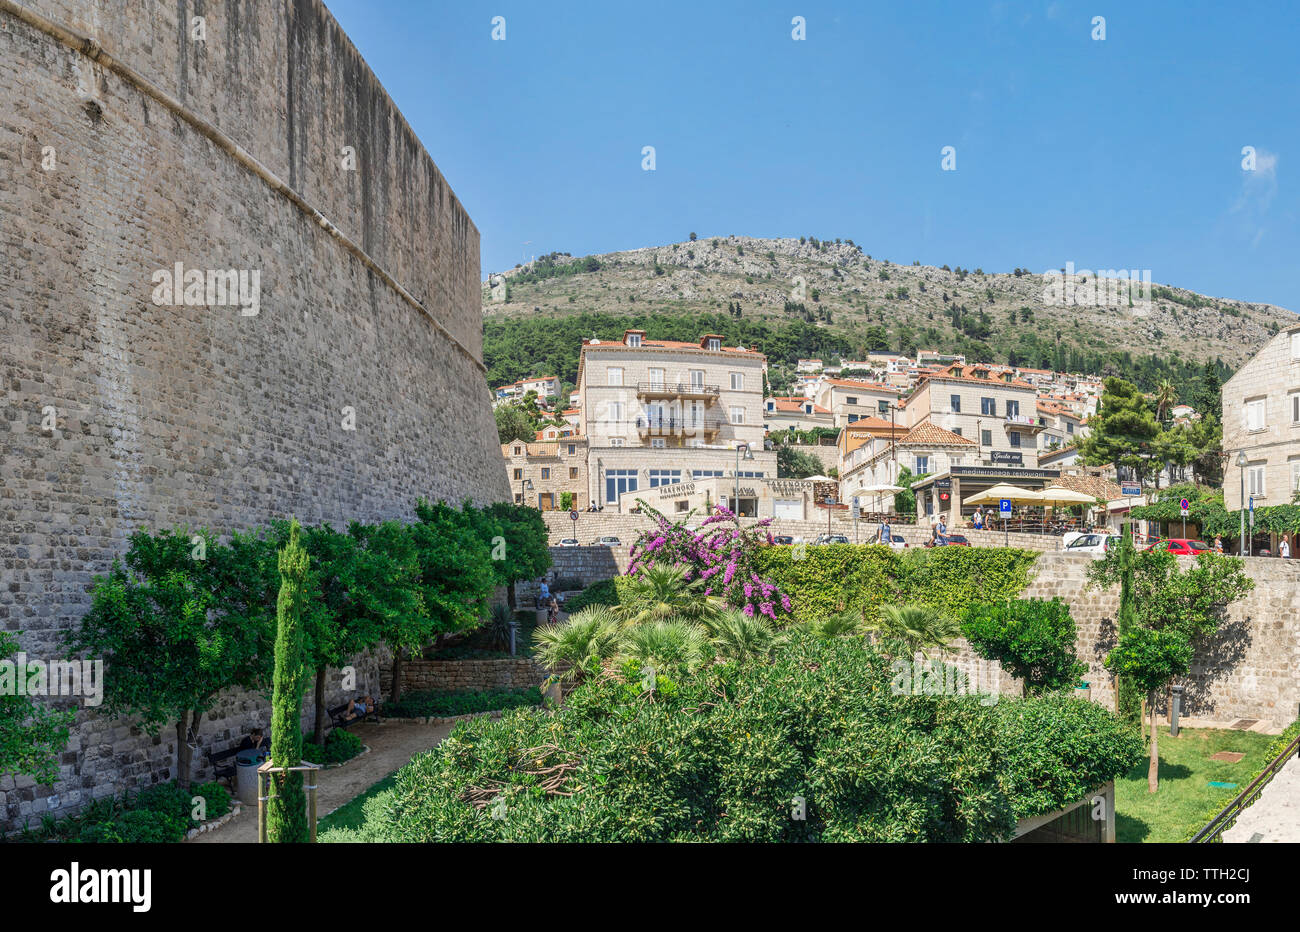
x=876, y=305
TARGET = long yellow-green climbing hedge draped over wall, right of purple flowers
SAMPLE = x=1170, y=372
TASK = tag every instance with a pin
x=829, y=579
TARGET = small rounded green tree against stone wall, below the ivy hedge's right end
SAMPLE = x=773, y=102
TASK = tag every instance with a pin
x=1033, y=639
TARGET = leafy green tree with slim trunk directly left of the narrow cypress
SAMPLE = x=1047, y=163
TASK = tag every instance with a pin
x=170, y=647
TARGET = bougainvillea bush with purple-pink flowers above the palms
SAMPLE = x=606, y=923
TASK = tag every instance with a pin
x=721, y=553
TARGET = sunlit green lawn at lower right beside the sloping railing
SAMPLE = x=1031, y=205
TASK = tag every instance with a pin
x=1186, y=800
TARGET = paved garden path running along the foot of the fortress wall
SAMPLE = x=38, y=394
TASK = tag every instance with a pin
x=392, y=748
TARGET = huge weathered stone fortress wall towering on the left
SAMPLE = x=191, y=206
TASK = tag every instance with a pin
x=128, y=146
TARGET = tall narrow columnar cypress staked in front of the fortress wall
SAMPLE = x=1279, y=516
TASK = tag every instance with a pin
x=287, y=809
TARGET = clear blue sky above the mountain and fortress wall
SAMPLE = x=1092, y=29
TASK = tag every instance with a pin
x=1124, y=153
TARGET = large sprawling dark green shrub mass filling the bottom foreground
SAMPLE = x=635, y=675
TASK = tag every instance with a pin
x=722, y=755
